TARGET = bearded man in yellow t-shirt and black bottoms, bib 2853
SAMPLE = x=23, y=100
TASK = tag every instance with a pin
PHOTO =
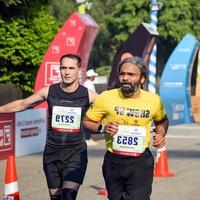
x=127, y=113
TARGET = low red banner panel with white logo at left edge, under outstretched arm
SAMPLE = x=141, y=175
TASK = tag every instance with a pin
x=7, y=135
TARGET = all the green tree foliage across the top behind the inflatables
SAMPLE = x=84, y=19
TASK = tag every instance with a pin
x=27, y=27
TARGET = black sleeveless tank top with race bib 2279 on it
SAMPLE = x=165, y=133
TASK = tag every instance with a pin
x=66, y=110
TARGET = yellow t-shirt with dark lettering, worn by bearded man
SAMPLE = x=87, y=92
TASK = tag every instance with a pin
x=111, y=105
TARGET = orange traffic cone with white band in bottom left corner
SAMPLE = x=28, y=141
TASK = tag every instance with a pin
x=11, y=191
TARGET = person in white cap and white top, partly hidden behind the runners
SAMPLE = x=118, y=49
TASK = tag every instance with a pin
x=89, y=84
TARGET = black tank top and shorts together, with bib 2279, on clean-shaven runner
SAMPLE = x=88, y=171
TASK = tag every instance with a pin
x=65, y=152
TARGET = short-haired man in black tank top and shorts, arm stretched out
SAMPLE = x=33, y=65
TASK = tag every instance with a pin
x=65, y=155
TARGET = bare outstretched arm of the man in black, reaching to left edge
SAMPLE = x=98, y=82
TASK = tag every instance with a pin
x=23, y=104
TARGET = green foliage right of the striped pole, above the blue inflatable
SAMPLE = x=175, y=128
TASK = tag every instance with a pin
x=176, y=19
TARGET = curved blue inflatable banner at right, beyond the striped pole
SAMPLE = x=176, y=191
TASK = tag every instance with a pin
x=175, y=84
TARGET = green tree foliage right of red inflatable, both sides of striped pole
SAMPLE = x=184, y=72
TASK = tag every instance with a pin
x=175, y=19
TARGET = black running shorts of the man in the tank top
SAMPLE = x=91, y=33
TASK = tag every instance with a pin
x=65, y=164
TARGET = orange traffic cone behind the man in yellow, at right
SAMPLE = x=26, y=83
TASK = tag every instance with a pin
x=161, y=165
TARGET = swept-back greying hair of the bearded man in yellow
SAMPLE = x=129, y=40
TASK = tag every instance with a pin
x=136, y=61
